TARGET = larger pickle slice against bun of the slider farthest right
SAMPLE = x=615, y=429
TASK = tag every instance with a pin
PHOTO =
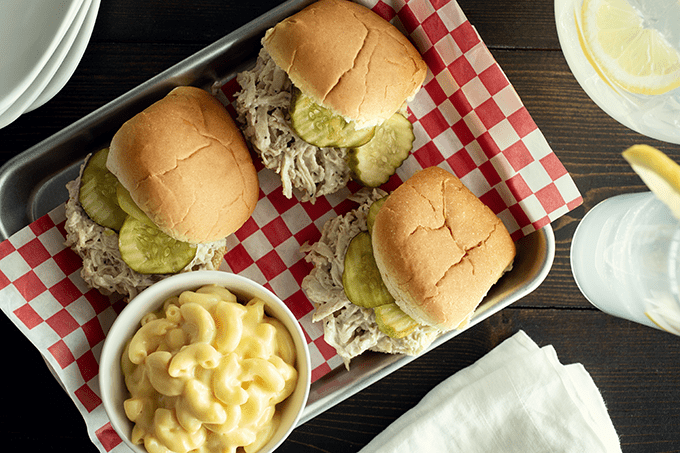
x=361, y=278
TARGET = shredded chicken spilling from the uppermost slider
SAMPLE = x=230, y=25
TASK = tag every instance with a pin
x=262, y=106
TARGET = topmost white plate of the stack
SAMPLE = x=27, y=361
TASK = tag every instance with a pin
x=30, y=32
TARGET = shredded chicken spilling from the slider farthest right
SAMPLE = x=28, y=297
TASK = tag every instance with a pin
x=350, y=329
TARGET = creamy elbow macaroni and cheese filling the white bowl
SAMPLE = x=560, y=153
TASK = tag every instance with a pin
x=205, y=374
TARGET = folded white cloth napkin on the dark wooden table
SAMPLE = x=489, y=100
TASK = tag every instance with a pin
x=517, y=398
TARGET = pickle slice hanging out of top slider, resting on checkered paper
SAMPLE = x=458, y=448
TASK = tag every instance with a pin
x=373, y=163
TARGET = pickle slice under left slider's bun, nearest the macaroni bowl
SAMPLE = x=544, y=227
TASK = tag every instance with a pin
x=148, y=250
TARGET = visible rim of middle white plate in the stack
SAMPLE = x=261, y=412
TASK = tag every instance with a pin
x=48, y=71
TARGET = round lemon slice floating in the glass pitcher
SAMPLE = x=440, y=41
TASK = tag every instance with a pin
x=623, y=50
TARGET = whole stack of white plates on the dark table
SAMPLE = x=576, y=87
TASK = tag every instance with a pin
x=41, y=43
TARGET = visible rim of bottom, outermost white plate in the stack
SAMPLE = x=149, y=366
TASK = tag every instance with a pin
x=72, y=59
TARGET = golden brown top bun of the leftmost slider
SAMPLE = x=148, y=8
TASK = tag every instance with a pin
x=187, y=166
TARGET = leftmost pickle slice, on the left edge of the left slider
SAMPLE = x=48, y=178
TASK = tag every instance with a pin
x=98, y=192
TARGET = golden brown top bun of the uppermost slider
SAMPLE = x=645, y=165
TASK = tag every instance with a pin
x=346, y=57
